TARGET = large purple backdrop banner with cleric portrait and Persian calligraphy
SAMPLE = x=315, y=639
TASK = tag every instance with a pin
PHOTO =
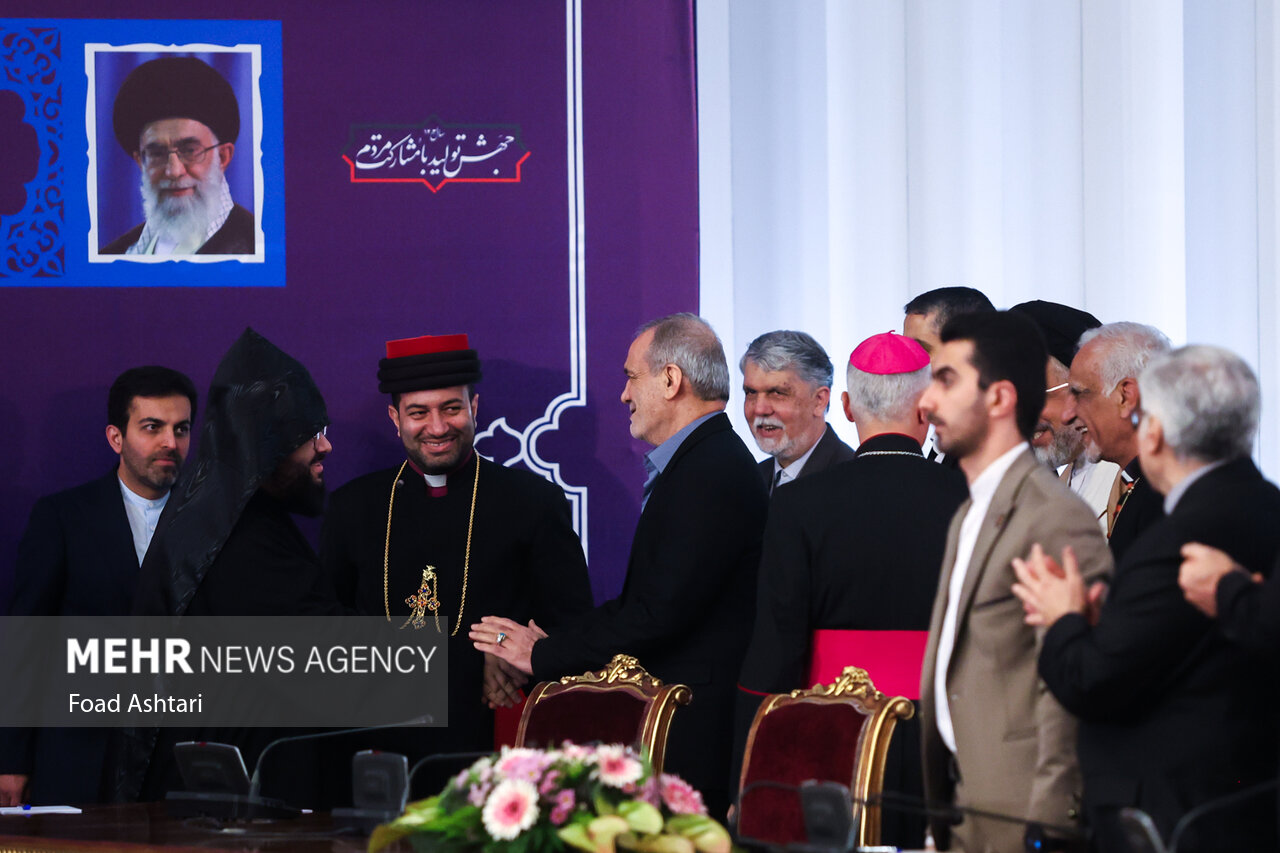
x=406, y=168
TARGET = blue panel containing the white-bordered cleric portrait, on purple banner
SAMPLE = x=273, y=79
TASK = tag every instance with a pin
x=159, y=149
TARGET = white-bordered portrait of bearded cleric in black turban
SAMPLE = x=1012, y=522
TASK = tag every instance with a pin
x=176, y=167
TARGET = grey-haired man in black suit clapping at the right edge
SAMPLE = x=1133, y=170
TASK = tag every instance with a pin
x=1173, y=715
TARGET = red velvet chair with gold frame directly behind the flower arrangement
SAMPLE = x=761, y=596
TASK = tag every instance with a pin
x=621, y=704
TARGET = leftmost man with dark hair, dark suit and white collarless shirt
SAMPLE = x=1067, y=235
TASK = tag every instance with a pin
x=80, y=556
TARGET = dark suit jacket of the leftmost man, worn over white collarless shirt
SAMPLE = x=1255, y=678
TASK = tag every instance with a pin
x=75, y=559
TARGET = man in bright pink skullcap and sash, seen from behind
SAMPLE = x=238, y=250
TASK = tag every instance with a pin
x=852, y=559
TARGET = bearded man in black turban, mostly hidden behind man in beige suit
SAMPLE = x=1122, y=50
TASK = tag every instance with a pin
x=1057, y=443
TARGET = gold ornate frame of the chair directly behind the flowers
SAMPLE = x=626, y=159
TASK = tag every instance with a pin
x=623, y=674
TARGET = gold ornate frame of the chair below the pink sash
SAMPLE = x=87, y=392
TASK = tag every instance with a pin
x=853, y=687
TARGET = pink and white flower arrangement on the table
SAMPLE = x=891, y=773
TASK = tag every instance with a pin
x=536, y=801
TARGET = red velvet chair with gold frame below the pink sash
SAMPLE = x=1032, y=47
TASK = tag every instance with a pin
x=833, y=733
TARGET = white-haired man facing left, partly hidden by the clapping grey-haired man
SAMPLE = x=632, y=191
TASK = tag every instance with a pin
x=1107, y=400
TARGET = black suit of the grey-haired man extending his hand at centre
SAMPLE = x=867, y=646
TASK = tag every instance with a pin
x=689, y=599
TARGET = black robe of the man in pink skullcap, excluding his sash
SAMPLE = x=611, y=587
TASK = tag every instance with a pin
x=857, y=548
